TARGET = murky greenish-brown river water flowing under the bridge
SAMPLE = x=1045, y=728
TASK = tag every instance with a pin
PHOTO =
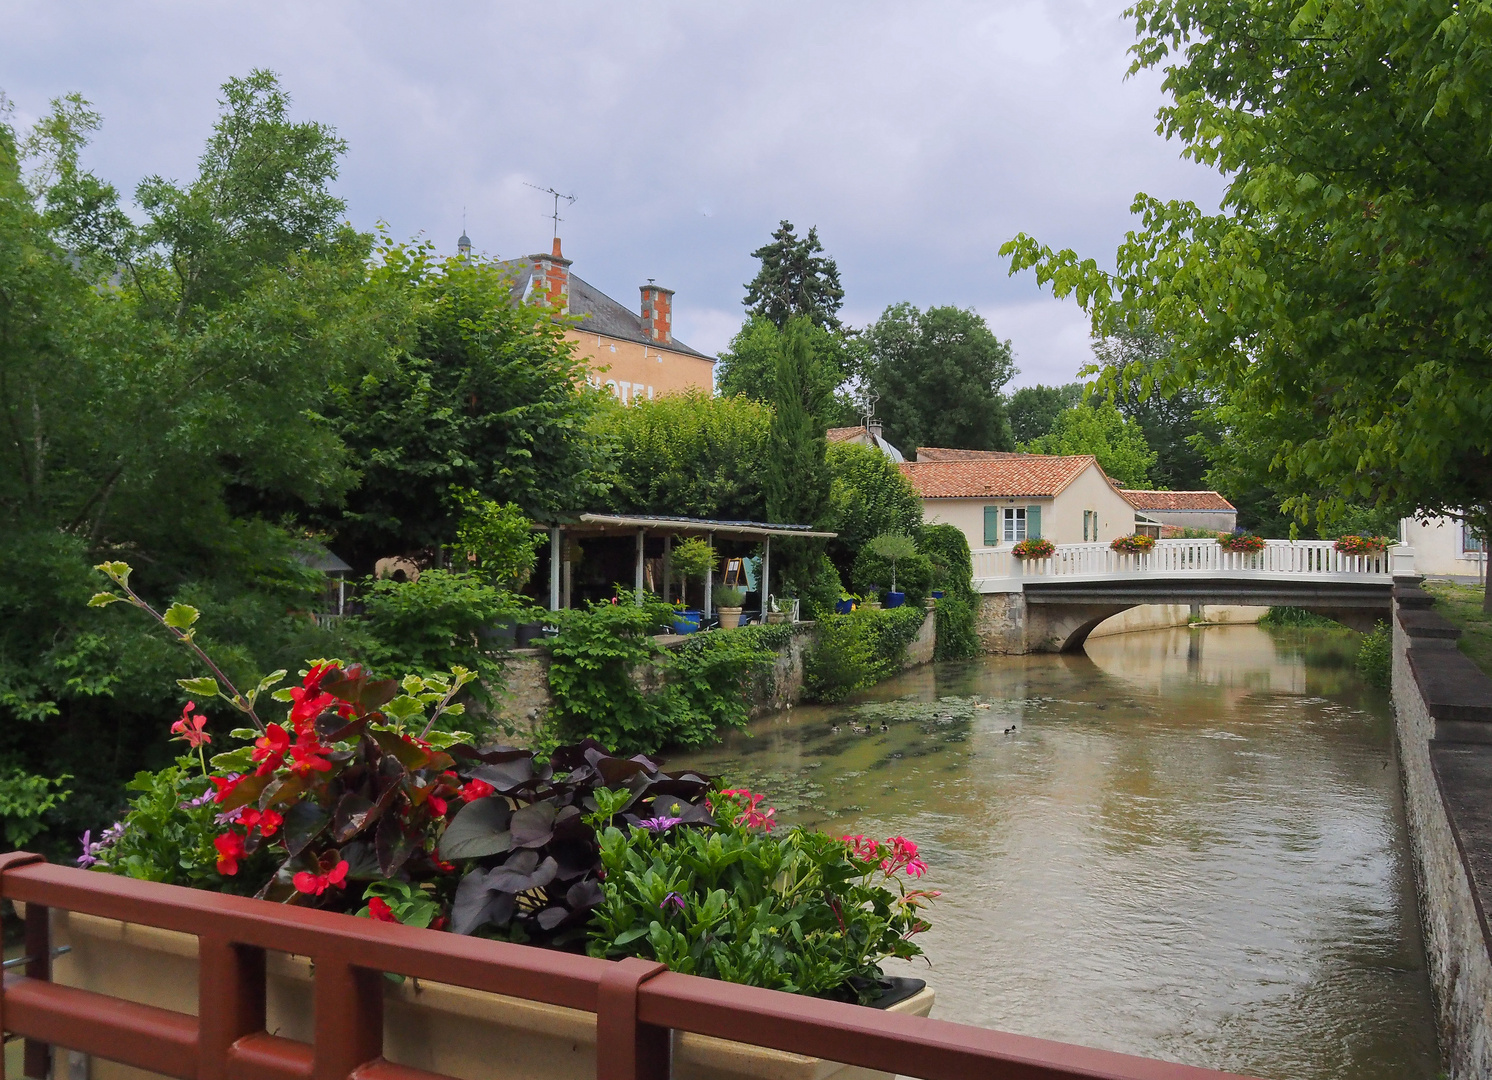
x=1190, y=848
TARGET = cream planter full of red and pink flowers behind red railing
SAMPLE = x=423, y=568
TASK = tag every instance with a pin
x=360, y=799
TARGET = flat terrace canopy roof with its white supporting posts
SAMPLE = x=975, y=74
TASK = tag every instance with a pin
x=642, y=526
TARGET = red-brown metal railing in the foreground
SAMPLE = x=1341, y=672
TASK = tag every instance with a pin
x=638, y=1003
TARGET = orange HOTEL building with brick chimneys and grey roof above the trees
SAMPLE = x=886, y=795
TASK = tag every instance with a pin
x=635, y=356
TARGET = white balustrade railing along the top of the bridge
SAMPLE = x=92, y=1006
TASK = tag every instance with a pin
x=1317, y=559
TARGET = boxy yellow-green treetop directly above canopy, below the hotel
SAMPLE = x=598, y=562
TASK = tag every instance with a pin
x=690, y=454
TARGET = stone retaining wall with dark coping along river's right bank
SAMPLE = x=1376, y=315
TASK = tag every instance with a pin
x=1444, y=717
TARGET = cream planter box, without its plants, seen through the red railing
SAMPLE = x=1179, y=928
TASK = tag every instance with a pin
x=448, y=1030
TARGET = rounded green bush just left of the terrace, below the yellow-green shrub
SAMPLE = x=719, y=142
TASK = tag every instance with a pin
x=435, y=624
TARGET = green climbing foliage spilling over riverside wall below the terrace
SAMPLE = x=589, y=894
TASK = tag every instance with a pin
x=611, y=681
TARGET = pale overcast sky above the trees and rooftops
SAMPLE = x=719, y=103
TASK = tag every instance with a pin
x=918, y=138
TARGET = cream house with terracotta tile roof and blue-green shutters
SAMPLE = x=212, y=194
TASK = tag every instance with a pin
x=1000, y=499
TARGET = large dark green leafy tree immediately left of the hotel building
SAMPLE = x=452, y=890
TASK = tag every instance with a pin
x=483, y=395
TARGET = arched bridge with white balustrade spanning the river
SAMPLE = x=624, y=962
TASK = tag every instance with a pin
x=1054, y=603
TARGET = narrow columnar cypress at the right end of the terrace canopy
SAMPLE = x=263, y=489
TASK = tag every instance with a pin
x=797, y=483
